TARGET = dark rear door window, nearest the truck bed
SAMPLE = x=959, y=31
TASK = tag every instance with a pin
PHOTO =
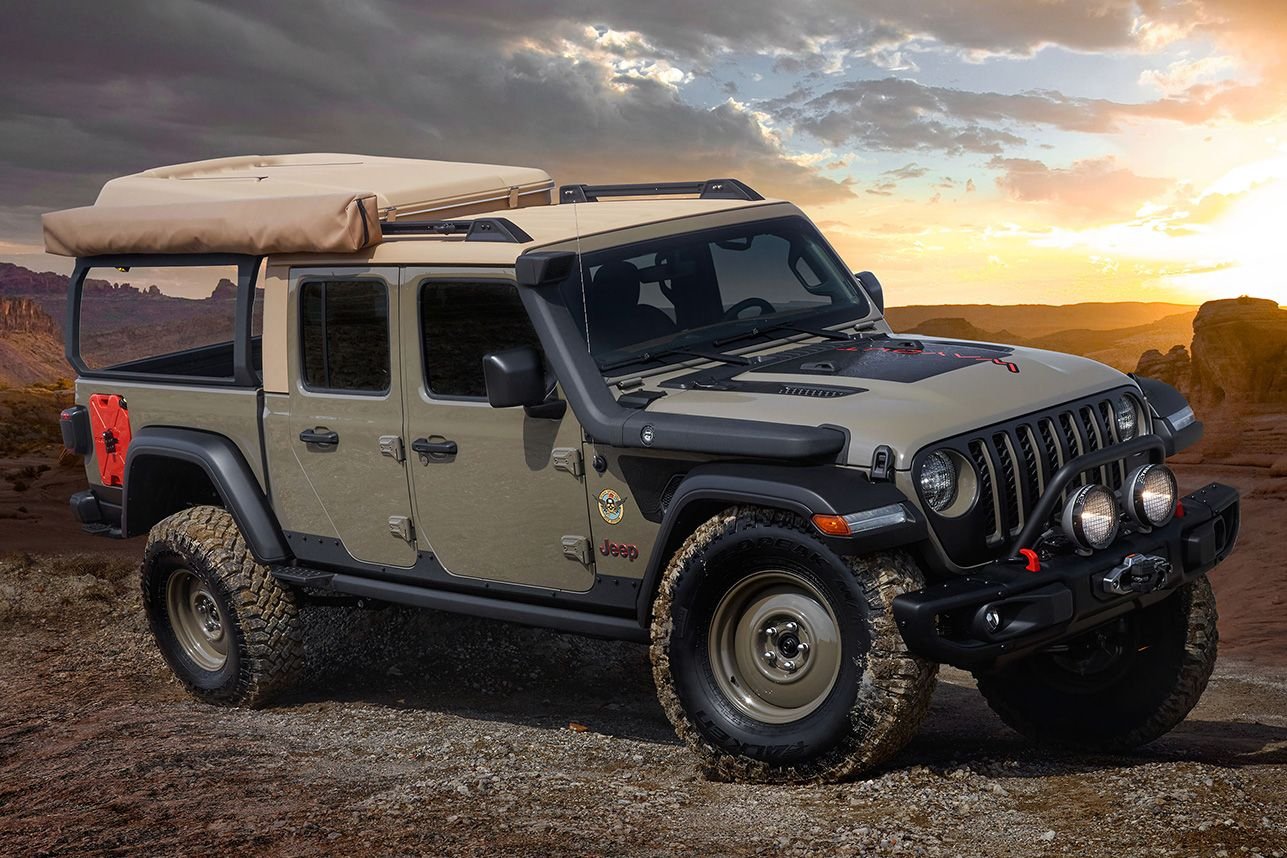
x=344, y=335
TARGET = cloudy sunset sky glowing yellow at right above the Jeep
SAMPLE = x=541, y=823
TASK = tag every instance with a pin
x=998, y=151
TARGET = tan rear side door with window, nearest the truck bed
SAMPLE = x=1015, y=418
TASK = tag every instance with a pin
x=347, y=410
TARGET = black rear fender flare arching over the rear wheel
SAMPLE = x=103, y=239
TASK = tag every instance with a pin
x=227, y=470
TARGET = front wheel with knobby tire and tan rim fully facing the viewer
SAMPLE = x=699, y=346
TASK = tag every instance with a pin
x=881, y=691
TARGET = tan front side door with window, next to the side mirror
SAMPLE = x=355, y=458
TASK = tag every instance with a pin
x=491, y=501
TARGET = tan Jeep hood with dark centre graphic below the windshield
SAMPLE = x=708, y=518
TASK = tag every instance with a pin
x=890, y=390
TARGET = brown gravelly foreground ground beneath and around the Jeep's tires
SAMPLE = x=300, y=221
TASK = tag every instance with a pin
x=425, y=734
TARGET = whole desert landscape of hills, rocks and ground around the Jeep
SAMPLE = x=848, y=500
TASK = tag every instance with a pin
x=418, y=733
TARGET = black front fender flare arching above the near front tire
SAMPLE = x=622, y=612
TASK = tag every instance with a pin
x=808, y=491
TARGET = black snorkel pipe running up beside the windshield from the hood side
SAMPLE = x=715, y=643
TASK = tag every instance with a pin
x=609, y=423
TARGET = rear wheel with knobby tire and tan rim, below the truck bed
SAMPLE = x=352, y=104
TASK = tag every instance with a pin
x=227, y=628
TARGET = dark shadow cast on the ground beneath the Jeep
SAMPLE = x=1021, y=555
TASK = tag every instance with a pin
x=488, y=671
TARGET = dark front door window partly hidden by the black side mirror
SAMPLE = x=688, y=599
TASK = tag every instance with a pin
x=463, y=322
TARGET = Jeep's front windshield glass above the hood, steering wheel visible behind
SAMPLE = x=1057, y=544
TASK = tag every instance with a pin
x=653, y=300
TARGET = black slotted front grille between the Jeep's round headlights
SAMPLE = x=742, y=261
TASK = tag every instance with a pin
x=1016, y=461
